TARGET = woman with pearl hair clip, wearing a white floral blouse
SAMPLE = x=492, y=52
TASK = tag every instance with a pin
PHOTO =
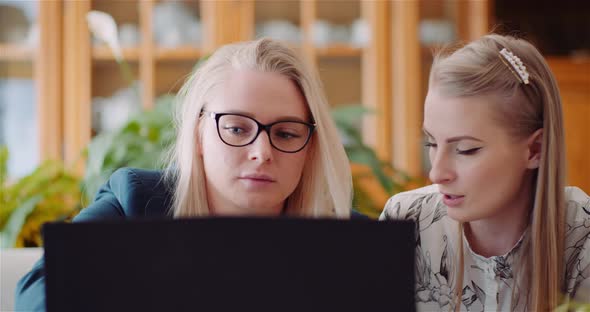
x=498, y=231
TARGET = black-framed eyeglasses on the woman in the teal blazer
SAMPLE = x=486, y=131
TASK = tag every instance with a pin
x=239, y=130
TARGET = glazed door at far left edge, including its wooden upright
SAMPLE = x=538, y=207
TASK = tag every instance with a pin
x=30, y=83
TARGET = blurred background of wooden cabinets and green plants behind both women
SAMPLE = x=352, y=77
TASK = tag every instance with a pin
x=77, y=102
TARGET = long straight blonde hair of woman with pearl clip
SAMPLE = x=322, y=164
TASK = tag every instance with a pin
x=475, y=70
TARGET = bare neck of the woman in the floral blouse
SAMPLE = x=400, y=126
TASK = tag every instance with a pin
x=497, y=235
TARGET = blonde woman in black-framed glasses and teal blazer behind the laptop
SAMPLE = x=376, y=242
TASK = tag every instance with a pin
x=254, y=138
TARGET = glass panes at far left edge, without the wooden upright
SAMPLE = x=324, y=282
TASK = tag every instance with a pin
x=18, y=93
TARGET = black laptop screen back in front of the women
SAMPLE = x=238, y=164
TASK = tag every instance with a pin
x=230, y=264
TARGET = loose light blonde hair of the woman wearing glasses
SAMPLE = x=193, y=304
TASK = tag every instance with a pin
x=325, y=187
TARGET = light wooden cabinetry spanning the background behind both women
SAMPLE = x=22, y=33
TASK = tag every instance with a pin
x=387, y=73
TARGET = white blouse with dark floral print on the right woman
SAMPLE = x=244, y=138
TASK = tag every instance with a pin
x=488, y=283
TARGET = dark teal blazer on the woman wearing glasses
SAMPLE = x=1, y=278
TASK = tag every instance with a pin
x=129, y=193
